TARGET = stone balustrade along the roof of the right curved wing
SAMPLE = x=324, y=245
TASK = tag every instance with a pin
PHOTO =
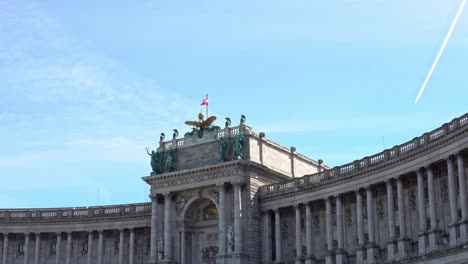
x=388, y=155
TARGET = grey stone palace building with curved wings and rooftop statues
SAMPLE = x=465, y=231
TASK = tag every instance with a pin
x=229, y=195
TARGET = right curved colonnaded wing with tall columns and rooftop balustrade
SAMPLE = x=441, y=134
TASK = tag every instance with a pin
x=408, y=203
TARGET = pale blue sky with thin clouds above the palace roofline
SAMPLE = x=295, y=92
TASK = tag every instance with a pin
x=85, y=86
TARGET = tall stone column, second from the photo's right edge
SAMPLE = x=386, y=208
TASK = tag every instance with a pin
x=453, y=202
